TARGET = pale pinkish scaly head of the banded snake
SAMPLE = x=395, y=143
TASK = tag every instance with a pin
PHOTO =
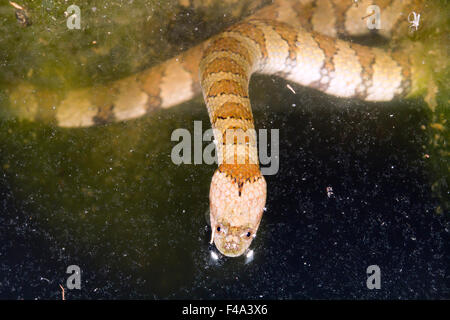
x=236, y=208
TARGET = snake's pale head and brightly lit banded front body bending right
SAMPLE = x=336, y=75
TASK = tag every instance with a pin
x=238, y=190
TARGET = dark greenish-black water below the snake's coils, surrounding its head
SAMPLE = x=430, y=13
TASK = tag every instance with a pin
x=109, y=200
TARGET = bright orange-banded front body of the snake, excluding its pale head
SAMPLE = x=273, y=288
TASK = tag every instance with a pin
x=269, y=47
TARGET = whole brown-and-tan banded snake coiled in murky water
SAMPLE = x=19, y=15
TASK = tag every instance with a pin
x=299, y=41
